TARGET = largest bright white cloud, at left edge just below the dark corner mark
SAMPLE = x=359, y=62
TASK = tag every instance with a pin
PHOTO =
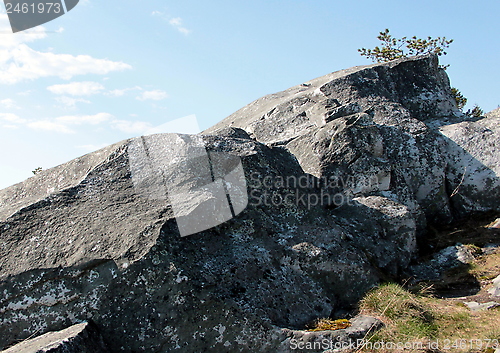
x=18, y=62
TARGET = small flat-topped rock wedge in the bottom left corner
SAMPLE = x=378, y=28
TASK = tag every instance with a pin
x=80, y=338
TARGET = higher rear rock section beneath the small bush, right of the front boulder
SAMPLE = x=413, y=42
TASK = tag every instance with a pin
x=392, y=129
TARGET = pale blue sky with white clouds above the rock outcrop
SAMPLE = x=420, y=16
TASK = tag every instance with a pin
x=110, y=70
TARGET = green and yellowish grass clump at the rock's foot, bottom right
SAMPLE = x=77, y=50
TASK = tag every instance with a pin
x=415, y=317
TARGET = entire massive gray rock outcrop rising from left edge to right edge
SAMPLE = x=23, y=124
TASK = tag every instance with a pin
x=342, y=174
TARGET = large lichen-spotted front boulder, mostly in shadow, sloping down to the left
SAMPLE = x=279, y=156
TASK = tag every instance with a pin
x=123, y=263
